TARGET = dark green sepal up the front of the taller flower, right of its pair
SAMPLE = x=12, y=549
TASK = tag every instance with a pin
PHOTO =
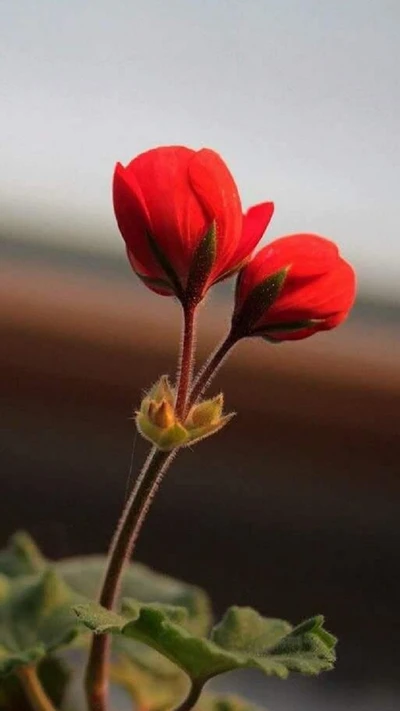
x=201, y=266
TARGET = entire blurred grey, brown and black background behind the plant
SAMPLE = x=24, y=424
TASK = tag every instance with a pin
x=294, y=508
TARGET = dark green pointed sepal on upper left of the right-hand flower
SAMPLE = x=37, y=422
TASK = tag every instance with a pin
x=257, y=303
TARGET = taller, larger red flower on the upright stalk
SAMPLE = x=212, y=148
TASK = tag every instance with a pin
x=180, y=215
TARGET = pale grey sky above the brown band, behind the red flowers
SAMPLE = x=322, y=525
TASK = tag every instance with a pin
x=301, y=98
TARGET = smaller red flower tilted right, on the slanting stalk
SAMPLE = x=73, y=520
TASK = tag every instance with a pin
x=293, y=287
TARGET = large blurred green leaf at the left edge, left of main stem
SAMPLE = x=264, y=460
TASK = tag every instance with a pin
x=36, y=619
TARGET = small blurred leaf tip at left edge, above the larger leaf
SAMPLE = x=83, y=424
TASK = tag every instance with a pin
x=21, y=557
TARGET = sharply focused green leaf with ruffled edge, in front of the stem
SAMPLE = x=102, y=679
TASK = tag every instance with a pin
x=243, y=639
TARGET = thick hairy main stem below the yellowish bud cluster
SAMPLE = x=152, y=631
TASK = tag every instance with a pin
x=121, y=550
